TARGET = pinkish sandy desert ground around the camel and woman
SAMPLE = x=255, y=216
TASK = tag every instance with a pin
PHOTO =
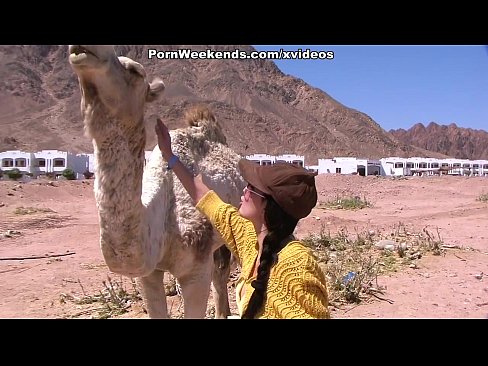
x=64, y=225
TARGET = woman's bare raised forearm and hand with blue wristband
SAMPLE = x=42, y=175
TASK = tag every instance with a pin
x=194, y=185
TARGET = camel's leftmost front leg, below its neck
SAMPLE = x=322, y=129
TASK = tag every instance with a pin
x=153, y=294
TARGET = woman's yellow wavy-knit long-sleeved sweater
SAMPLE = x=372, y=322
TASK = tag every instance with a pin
x=296, y=286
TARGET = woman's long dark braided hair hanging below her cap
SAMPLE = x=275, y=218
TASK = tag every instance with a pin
x=280, y=228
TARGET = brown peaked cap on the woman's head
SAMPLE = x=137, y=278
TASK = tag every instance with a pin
x=291, y=186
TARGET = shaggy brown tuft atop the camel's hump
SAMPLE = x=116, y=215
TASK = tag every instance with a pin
x=202, y=117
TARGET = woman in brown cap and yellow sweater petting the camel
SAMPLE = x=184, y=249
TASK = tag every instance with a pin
x=280, y=277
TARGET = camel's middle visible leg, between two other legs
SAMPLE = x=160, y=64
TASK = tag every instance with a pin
x=195, y=288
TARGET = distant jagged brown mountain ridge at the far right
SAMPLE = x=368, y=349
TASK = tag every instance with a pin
x=451, y=140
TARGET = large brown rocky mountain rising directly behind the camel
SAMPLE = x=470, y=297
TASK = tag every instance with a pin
x=261, y=109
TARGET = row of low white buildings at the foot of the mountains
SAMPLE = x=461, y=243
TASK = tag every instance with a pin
x=55, y=162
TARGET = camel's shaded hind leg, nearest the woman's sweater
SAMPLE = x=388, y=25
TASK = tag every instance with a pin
x=220, y=278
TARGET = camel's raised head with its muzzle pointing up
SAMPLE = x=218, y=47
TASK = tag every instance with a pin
x=114, y=86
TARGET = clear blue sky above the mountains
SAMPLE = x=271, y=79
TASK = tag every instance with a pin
x=398, y=86
